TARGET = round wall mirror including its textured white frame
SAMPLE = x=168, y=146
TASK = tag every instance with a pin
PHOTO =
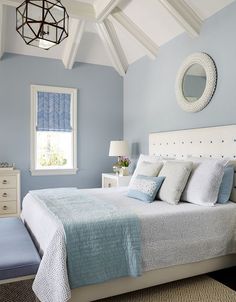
x=196, y=82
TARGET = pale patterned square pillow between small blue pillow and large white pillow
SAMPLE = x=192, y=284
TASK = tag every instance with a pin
x=176, y=175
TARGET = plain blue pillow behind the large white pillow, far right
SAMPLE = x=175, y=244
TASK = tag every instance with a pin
x=226, y=185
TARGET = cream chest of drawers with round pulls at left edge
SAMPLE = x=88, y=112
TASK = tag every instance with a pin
x=9, y=193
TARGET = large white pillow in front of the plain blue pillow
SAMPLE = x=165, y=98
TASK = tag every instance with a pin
x=204, y=182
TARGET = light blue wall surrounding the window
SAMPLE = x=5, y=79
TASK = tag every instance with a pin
x=100, y=116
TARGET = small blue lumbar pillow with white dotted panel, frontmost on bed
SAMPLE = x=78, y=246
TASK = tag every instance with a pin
x=145, y=188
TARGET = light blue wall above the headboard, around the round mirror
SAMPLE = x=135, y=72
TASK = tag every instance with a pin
x=149, y=94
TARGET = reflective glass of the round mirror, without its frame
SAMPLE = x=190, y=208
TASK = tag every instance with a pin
x=194, y=83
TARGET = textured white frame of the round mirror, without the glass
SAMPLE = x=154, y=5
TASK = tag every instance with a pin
x=211, y=80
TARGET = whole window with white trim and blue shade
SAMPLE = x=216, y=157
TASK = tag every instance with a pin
x=53, y=130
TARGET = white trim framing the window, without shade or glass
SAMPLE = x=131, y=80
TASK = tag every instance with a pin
x=33, y=149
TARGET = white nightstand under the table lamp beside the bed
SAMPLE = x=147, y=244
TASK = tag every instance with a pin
x=111, y=180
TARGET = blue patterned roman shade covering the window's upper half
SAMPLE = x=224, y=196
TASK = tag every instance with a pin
x=54, y=112
